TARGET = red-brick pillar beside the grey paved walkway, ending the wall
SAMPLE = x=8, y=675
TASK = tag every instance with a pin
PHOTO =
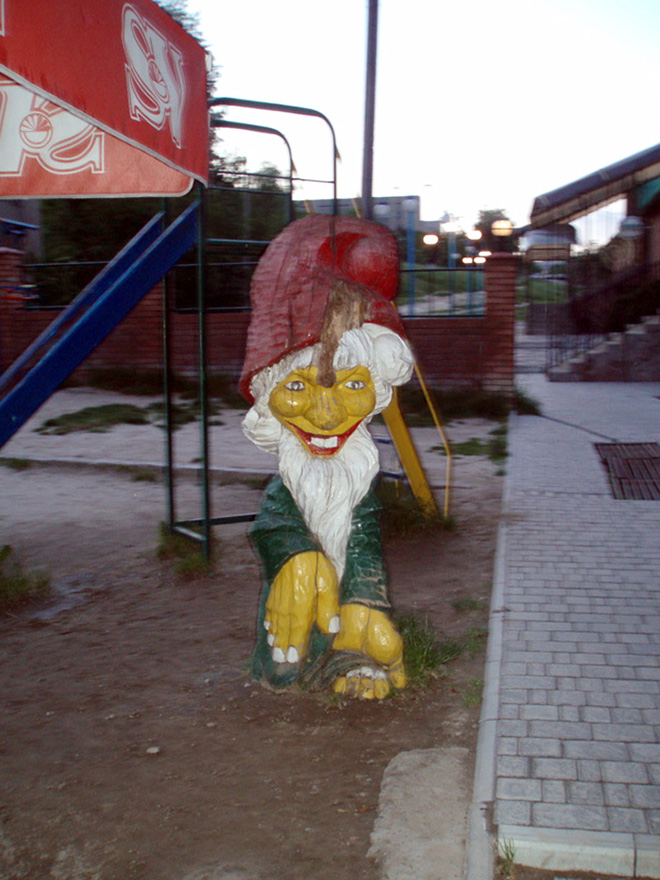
x=501, y=271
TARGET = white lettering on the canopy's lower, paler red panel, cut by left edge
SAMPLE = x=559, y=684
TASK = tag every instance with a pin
x=33, y=127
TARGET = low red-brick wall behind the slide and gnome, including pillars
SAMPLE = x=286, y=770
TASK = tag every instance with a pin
x=453, y=352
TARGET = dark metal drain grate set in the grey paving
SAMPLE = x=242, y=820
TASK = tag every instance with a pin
x=633, y=469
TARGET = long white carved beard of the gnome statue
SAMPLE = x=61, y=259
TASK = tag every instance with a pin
x=327, y=488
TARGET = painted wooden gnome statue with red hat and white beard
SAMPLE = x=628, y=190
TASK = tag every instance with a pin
x=325, y=348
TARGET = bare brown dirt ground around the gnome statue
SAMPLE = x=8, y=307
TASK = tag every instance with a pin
x=134, y=745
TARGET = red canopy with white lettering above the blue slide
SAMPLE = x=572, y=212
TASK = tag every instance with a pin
x=101, y=97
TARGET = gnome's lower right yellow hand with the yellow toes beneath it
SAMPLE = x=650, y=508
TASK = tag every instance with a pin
x=372, y=633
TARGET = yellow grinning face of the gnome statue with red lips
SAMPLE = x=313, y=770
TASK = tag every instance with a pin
x=323, y=418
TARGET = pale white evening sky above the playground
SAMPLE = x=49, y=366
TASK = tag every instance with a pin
x=479, y=105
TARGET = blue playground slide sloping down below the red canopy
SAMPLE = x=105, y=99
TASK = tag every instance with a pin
x=92, y=316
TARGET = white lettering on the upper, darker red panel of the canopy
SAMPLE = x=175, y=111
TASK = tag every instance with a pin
x=154, y=73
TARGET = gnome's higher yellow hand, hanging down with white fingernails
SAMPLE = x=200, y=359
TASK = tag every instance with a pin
x=304, y=592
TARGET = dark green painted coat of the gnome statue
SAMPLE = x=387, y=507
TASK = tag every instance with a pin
x=280, y=532
